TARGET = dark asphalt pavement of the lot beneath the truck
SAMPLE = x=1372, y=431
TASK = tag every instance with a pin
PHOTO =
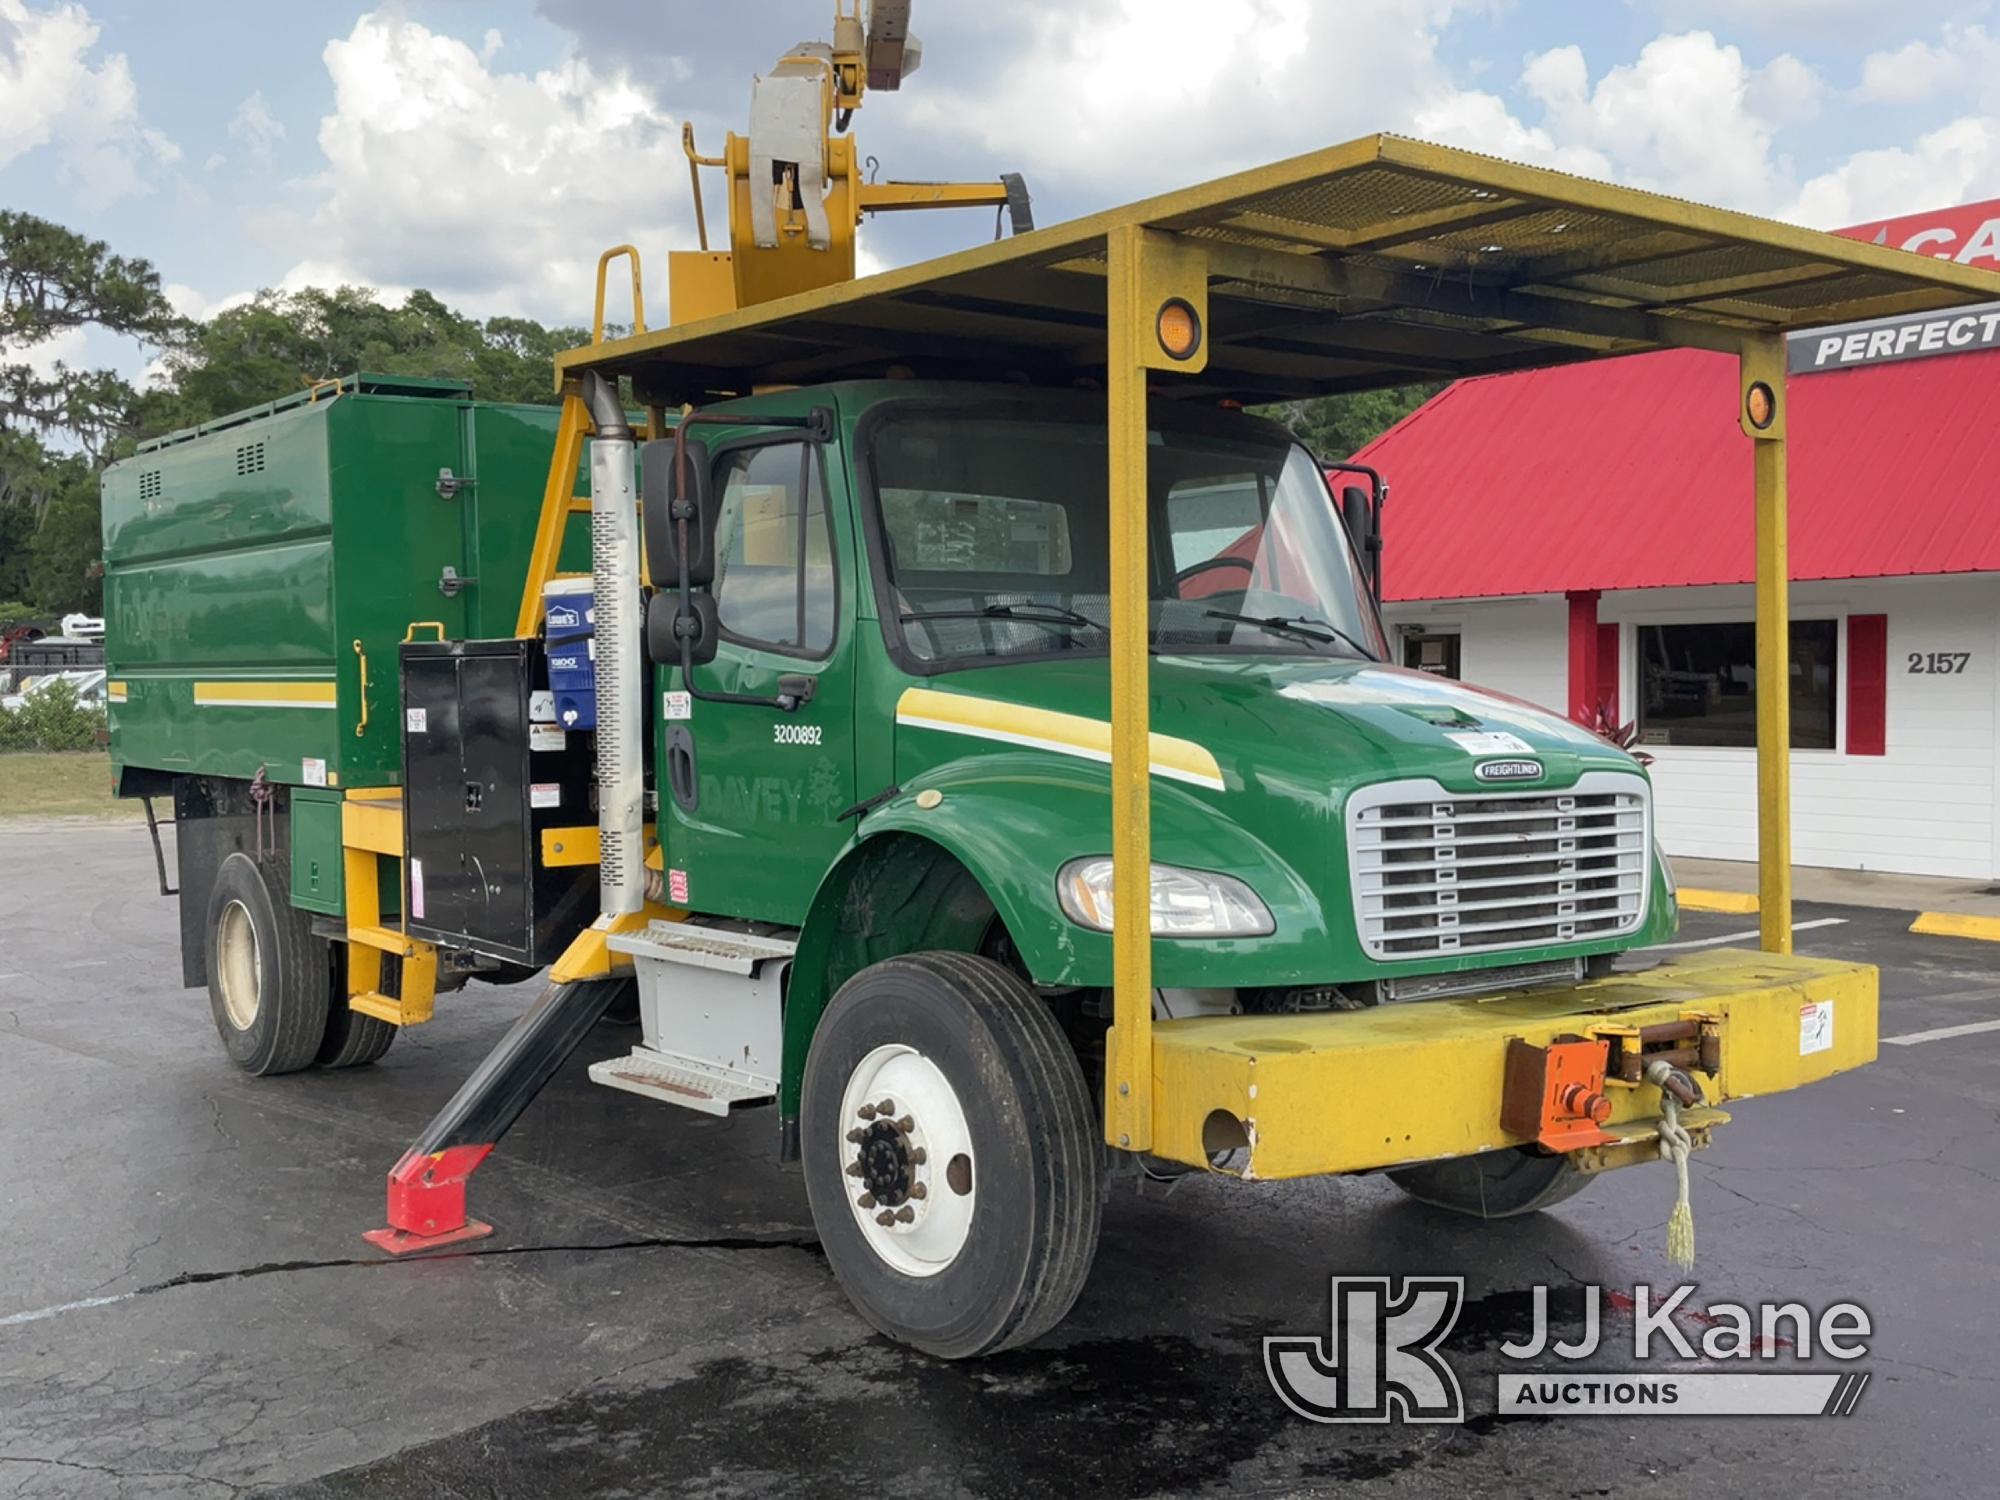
x=187, y=1307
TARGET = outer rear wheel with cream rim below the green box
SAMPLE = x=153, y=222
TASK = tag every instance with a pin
x=269, y=979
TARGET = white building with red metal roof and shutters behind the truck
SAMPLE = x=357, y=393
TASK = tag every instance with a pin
x=1583, y=537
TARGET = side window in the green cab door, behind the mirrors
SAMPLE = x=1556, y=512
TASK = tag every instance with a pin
x=775, y=551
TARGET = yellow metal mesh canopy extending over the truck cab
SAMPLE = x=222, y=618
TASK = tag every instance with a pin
x=1375, y=263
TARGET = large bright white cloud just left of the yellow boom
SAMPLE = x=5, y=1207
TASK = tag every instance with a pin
x=497, y=191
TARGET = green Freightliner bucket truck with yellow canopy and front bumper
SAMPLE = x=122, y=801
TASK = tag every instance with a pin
x=965, y=729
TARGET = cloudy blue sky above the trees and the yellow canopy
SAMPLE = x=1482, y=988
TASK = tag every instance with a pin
x=487, y=151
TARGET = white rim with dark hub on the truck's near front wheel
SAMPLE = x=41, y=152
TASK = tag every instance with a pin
x=913, y=1167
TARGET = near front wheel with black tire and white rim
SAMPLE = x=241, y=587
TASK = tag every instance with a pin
x=951, y=1155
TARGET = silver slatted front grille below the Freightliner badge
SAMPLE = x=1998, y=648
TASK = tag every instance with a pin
x=1439, y=873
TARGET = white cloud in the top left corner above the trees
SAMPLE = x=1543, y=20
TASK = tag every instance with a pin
x=51, y=95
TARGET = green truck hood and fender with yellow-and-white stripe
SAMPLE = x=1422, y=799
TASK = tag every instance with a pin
x=1271, y=749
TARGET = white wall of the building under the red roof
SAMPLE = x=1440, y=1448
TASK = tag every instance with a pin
x=1925, y=807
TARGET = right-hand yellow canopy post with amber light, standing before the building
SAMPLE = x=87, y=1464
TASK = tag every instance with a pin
x=1761, y=413
